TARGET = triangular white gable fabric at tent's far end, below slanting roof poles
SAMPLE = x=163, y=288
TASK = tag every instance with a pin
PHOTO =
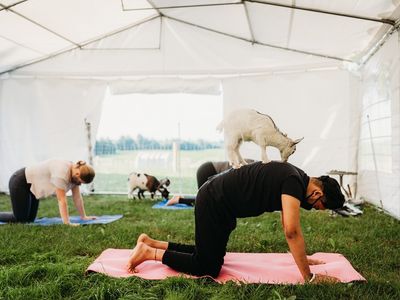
x=185, y=50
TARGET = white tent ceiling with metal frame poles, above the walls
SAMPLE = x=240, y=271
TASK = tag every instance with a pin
x=131, y=37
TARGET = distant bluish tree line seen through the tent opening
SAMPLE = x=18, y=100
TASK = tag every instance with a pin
x=108, y=146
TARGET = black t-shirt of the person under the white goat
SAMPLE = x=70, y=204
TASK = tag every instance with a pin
x=257, y=188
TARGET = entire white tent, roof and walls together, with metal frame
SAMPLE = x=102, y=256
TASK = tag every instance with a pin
x=325, y=70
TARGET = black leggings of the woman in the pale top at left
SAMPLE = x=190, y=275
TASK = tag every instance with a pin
x=24, y=203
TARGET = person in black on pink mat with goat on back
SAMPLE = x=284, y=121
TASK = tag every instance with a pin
x=245, y=192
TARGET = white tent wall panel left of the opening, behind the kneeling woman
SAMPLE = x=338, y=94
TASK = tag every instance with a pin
x=41, y=119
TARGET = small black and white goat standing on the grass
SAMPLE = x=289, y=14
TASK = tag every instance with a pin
x=144, y=182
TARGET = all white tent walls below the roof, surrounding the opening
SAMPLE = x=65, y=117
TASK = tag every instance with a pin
x=328, y=107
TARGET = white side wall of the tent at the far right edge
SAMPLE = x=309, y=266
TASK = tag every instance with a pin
x=379, y=155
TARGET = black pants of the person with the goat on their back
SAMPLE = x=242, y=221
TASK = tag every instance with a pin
x=213, y=227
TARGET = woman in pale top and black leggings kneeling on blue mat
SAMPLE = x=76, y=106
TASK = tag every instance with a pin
x=54, y=176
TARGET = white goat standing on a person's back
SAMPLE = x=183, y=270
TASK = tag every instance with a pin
x=250, y=125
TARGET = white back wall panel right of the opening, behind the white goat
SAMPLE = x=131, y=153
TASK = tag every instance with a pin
x=318, y=106
